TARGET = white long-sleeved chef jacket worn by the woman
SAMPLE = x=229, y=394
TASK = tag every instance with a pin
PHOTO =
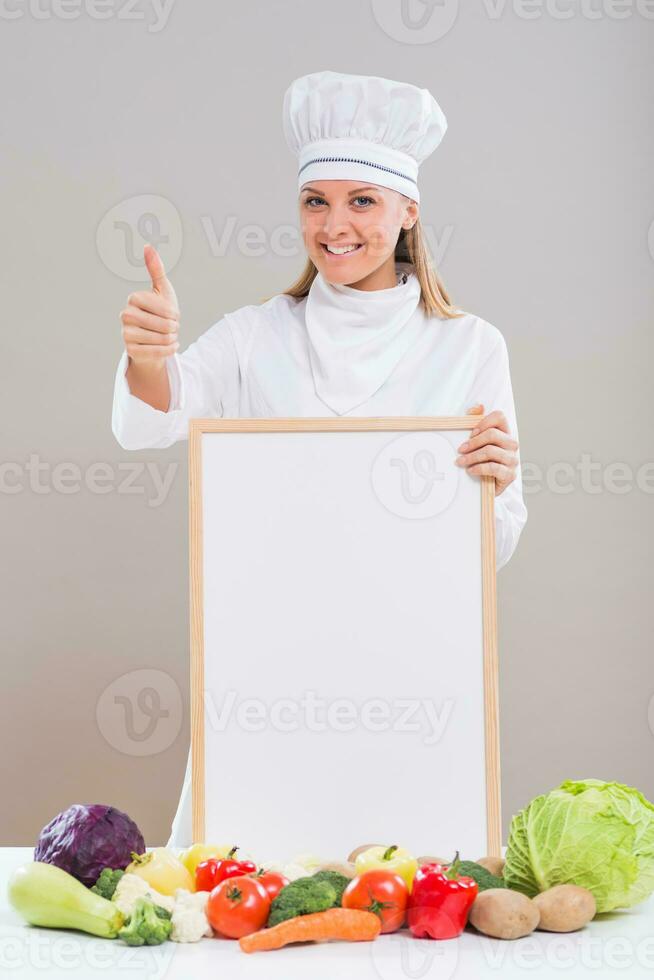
x=255, y=363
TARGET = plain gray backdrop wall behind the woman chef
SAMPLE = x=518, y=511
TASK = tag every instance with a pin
x=540, y=203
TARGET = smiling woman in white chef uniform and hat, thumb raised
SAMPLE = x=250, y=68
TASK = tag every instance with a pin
x=367, y=329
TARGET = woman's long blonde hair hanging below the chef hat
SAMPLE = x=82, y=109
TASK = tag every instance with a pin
x=411, y=247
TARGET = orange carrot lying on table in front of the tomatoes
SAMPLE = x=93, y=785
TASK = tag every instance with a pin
x=352, y=924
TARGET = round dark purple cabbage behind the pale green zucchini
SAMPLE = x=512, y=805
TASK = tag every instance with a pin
x=86, y=838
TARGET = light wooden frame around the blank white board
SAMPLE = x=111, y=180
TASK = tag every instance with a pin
x=489, y=615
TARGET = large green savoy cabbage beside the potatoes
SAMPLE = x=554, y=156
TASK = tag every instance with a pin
x=589, y=833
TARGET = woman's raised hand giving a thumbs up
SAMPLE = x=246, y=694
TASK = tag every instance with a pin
x=151, y=318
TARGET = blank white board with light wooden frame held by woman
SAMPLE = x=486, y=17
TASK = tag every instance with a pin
x=344, y=674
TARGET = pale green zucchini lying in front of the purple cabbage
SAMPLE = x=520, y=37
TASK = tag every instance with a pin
x=45, y=895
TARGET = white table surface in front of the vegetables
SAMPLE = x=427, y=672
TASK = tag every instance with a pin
x=613, y=944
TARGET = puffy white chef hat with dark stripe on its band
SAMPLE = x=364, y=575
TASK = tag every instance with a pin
x=360, y=127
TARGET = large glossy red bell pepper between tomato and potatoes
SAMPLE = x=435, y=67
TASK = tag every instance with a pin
x=440, y=901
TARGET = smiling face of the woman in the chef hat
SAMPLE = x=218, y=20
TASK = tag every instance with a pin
x=350, y=229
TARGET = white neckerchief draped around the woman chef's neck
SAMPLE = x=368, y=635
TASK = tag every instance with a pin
x=357, y=336
